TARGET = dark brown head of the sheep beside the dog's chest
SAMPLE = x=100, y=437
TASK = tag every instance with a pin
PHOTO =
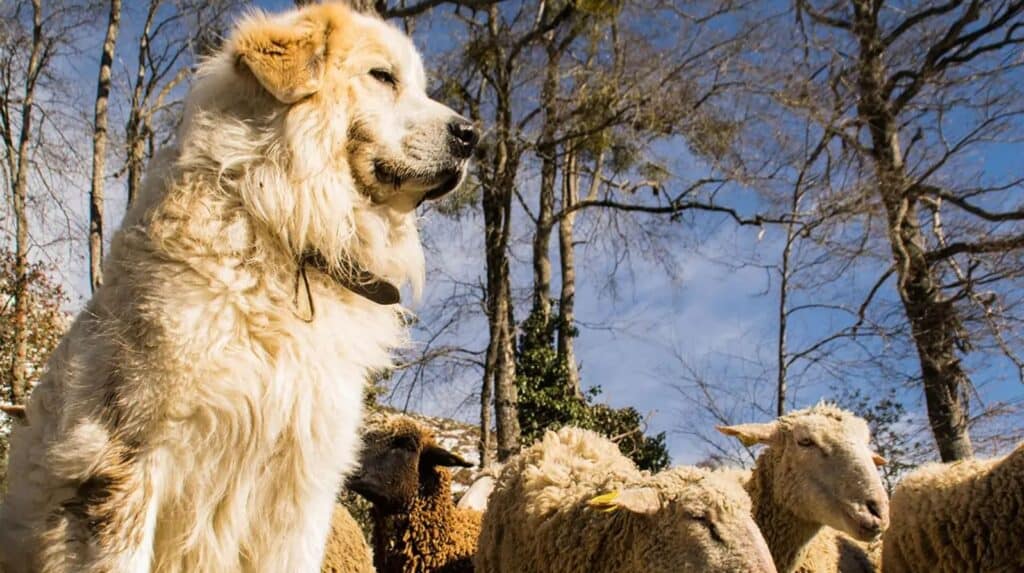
x=401, y=463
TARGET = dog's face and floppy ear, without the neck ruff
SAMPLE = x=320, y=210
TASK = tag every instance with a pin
x=365, y=76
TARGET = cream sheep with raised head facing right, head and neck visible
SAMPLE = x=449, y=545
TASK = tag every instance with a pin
x=818, y=471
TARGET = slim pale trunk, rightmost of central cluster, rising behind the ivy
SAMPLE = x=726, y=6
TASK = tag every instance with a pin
x=567, y=256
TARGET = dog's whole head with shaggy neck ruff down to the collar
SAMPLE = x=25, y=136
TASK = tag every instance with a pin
x=324, y=115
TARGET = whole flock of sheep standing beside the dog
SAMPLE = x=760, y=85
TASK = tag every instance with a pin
x=572, y=503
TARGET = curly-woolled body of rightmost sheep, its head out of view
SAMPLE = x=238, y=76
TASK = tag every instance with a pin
x=965, y=517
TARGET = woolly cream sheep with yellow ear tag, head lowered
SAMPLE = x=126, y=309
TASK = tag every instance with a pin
x=573, y=503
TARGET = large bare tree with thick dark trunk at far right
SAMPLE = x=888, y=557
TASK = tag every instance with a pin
x=888, y=79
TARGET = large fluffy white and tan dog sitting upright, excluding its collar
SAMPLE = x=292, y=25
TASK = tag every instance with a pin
x=195, y=418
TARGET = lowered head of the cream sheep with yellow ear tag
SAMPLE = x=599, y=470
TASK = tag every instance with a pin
x=692, y=520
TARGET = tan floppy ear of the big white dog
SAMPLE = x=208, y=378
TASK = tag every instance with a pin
x=288, y=61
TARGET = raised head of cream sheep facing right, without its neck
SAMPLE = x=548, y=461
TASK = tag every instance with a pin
x=825, y=472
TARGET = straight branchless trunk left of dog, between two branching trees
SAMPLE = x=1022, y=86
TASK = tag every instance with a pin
x=100, y=149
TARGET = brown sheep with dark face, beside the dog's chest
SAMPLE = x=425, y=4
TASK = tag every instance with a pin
x=417, y=527
